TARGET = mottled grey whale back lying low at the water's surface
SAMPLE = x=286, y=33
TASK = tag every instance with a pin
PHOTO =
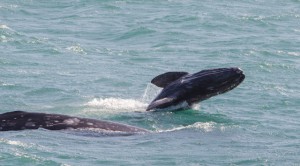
x=20, y=120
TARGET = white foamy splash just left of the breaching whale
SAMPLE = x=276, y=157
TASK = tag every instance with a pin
x=115, y=104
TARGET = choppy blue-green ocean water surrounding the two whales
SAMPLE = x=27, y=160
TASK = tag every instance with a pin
x=95, y=59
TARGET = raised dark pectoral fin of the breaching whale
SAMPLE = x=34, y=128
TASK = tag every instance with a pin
x=165, y=79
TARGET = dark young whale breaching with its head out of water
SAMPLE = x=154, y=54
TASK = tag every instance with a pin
x=182, y=88
